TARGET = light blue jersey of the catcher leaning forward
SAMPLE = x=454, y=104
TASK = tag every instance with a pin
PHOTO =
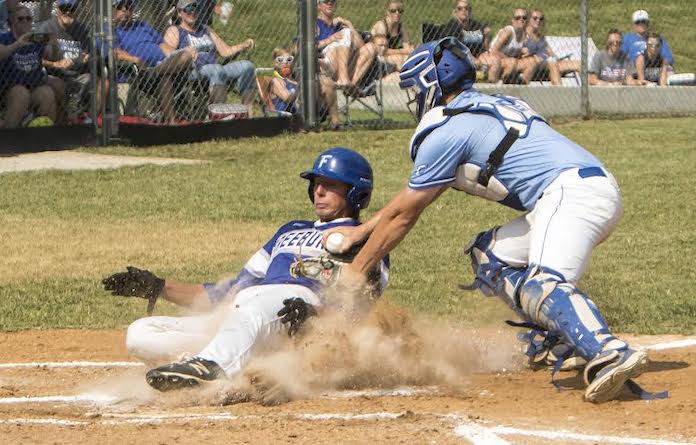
x=452, y=150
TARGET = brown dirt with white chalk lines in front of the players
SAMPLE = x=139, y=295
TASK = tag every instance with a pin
x=103, y=403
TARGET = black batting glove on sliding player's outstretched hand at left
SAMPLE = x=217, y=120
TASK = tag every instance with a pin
x=135, y=283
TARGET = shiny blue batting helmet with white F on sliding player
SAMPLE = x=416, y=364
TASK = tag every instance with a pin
x=347, y=166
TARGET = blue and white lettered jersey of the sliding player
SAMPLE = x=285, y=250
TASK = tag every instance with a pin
x=271, y=264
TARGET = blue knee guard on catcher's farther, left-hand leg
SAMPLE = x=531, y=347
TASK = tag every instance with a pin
x=491, y=275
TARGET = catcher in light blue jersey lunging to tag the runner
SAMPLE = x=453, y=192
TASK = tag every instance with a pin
x=498, y=148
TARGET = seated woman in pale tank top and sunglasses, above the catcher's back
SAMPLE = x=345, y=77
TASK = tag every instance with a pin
x=509, y=46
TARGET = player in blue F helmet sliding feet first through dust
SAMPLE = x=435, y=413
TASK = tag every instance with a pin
x=283, y=283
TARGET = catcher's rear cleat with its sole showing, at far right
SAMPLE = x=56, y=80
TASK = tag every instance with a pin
x=607, y=373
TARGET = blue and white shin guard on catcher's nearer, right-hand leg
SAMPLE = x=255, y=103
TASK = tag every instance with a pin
x=561, y=308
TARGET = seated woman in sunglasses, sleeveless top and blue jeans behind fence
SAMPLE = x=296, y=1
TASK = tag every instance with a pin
x=207, y=44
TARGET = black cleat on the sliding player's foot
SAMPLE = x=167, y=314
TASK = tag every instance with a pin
x=184, y=374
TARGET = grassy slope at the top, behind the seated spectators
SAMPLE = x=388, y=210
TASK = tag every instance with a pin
x=273, y=23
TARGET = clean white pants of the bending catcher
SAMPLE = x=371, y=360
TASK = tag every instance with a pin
x=574, y=215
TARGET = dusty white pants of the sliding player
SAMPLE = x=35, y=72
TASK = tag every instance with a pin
x=229, y=336
